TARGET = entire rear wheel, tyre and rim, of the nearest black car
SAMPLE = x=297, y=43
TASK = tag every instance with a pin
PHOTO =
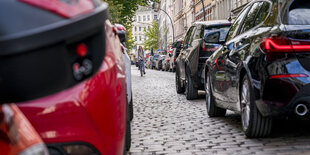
x=254, y=124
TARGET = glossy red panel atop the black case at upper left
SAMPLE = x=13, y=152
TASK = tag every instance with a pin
x=67, y=9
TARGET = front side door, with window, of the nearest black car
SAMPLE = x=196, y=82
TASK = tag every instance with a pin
x=218, y=75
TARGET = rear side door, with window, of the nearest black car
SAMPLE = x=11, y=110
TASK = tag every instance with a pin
x=238, y=52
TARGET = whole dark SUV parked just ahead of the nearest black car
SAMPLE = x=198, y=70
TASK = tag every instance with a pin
x=191, y=60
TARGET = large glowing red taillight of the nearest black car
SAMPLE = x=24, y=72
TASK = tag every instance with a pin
x=285, y=45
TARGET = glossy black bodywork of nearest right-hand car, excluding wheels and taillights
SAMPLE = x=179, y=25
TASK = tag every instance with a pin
x=242, y=55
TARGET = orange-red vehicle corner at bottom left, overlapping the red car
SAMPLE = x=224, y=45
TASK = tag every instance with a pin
x=17, y=134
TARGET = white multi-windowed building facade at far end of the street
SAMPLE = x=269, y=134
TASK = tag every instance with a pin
x=142, y=21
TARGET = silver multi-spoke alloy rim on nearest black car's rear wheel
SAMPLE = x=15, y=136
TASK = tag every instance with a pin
x=245, y=105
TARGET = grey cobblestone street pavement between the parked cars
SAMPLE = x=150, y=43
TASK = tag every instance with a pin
x=166, y=123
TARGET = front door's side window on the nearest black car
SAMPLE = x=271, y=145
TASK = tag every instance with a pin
x=235, y=27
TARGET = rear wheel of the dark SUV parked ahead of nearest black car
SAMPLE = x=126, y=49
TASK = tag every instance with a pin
x=190, y=91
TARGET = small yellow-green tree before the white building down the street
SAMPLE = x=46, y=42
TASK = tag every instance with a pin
x=151, y=35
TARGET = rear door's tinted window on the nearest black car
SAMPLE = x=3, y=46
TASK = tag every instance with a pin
x=249, y=20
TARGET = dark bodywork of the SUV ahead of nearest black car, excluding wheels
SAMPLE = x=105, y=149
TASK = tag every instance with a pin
x=191, y=59
